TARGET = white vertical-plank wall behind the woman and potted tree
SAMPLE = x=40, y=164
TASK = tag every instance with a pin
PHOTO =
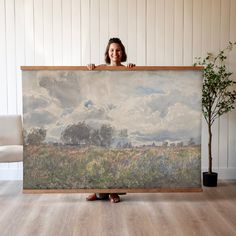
x=155, y=32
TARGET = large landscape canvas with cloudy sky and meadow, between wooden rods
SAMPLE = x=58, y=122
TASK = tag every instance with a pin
x=112, y=129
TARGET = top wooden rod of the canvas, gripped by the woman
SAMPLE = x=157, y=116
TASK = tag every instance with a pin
x=102, y=67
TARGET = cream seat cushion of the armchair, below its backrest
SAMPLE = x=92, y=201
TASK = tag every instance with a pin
x=11, y=153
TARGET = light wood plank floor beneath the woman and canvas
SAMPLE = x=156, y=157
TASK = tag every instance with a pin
x=211, y=212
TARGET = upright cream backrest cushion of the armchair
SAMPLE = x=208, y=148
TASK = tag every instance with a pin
x=11, y=130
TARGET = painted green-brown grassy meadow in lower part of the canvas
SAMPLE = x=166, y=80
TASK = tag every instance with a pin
x=69, y=167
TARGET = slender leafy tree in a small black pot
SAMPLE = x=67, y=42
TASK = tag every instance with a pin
x=218, y=98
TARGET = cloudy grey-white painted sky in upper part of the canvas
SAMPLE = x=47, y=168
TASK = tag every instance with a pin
x=154, y=106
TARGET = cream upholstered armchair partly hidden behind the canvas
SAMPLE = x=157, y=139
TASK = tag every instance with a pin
x=11, y=138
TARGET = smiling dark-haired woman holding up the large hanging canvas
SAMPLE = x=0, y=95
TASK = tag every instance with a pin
x=114, y=55
